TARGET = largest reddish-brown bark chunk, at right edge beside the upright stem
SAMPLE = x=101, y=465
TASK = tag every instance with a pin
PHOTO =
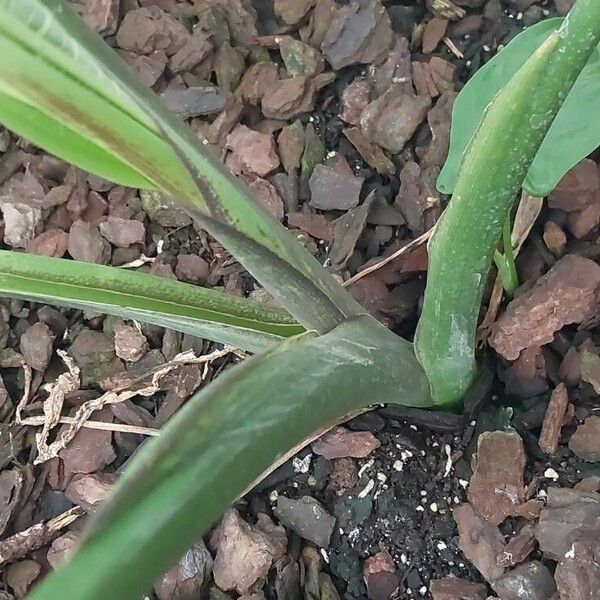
x=567, y=294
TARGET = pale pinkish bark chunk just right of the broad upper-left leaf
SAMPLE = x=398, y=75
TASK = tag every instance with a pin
x=255, y=152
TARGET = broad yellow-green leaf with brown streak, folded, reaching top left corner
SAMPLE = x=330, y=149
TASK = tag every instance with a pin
x=60, y=72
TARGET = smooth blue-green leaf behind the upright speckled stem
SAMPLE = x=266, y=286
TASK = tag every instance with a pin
x=574, y=134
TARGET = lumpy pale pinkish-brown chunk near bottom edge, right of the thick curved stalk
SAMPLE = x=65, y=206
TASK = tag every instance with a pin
x=245, y=553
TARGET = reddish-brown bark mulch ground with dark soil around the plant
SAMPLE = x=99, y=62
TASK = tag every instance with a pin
x=337, y=116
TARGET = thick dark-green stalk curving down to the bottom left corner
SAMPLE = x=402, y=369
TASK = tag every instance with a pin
x=179, y=483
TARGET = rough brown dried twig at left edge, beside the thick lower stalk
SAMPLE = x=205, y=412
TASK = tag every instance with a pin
x=22, y=543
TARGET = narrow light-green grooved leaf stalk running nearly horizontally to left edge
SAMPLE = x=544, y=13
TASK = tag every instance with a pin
x=199, y=311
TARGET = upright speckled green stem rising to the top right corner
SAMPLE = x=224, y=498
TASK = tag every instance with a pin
x=492, y=172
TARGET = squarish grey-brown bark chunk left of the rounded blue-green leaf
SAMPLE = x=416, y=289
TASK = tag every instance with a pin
x=391, y=120
